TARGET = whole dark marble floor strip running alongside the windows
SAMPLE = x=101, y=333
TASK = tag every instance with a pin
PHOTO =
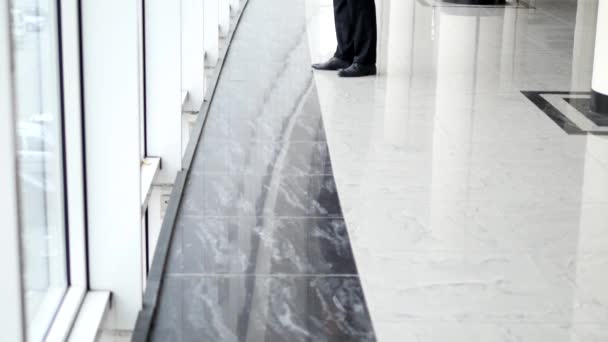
x=260, y=251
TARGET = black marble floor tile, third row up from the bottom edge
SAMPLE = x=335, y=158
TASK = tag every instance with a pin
x=259, y=195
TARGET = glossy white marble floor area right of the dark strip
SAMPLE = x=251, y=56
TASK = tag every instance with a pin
x=472, y=215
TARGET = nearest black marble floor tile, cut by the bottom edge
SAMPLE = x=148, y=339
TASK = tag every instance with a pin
x=264, y=308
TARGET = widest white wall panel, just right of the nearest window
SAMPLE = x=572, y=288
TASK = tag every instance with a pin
x=113, y=97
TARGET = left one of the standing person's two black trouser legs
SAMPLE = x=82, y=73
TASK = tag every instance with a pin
x=344, y=30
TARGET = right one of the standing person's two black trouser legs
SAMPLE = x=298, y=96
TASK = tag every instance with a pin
x=365, y=31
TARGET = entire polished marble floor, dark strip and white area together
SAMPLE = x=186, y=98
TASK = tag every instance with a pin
x=465, y=213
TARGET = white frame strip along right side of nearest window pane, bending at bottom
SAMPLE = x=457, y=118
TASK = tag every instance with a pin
x=75, y=174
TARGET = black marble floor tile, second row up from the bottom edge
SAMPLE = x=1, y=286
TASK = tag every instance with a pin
x=261, y=245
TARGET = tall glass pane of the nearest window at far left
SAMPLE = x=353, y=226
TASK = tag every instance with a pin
x=40, y=160
